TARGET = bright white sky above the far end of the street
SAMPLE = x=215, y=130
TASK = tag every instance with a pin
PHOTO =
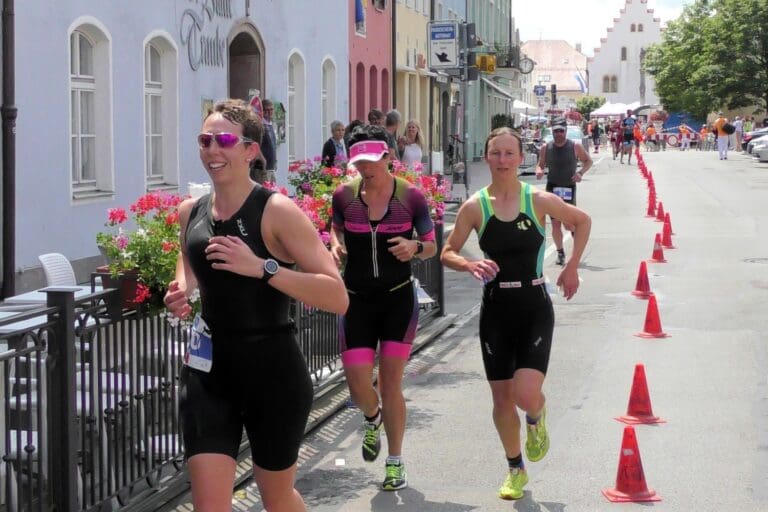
x=580, y=21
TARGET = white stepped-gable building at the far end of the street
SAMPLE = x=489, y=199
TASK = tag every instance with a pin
x=615, y=70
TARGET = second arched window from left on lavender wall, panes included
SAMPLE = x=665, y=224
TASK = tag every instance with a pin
x=160, y=116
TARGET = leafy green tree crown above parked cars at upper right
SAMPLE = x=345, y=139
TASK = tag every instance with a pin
x=715, y=55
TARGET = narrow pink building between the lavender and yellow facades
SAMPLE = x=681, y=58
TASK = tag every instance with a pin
x=370, y=57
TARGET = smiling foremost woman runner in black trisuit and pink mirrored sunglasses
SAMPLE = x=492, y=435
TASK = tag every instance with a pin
x=243, y=367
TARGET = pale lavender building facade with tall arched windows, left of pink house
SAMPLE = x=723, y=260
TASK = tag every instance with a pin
x=111, y=96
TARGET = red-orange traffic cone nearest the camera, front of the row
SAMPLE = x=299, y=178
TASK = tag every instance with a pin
x=630, y=479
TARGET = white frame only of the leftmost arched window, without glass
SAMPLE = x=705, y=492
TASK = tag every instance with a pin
x=97, y=85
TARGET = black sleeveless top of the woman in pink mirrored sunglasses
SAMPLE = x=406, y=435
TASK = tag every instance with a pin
x=233, y=302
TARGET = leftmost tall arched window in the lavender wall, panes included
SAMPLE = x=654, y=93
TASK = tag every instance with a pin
x=90, y=108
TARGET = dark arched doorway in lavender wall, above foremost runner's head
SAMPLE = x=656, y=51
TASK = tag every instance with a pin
x=245, y=67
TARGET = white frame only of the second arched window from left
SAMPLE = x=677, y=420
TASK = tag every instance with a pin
x=167, y=92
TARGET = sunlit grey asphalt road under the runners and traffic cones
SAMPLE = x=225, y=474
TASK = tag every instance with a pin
x=708, y=380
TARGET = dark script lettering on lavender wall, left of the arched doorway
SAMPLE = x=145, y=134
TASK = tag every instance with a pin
x=205, y=47
